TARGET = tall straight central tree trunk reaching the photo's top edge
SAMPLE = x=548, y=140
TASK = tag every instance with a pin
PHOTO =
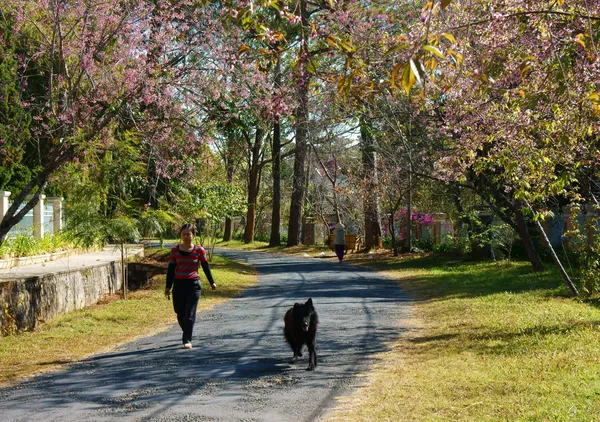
x=301, y=133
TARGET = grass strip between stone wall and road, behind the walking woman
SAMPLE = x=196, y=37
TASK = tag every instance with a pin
x=112, y=322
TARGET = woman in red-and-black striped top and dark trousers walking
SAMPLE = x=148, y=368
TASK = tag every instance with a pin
x=183, y=277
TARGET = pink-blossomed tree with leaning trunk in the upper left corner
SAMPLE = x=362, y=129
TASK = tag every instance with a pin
x=84, y=67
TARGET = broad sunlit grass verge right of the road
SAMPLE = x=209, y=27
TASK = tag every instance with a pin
x=494, y=342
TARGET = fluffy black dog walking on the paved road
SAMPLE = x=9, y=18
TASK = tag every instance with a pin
x=300, y=327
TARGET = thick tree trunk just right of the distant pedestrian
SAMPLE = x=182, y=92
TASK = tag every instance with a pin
x=371, y=202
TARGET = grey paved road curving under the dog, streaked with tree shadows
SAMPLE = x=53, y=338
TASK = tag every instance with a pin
x=238, y=369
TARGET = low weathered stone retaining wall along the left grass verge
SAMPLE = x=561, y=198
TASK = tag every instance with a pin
x=26, y=302
